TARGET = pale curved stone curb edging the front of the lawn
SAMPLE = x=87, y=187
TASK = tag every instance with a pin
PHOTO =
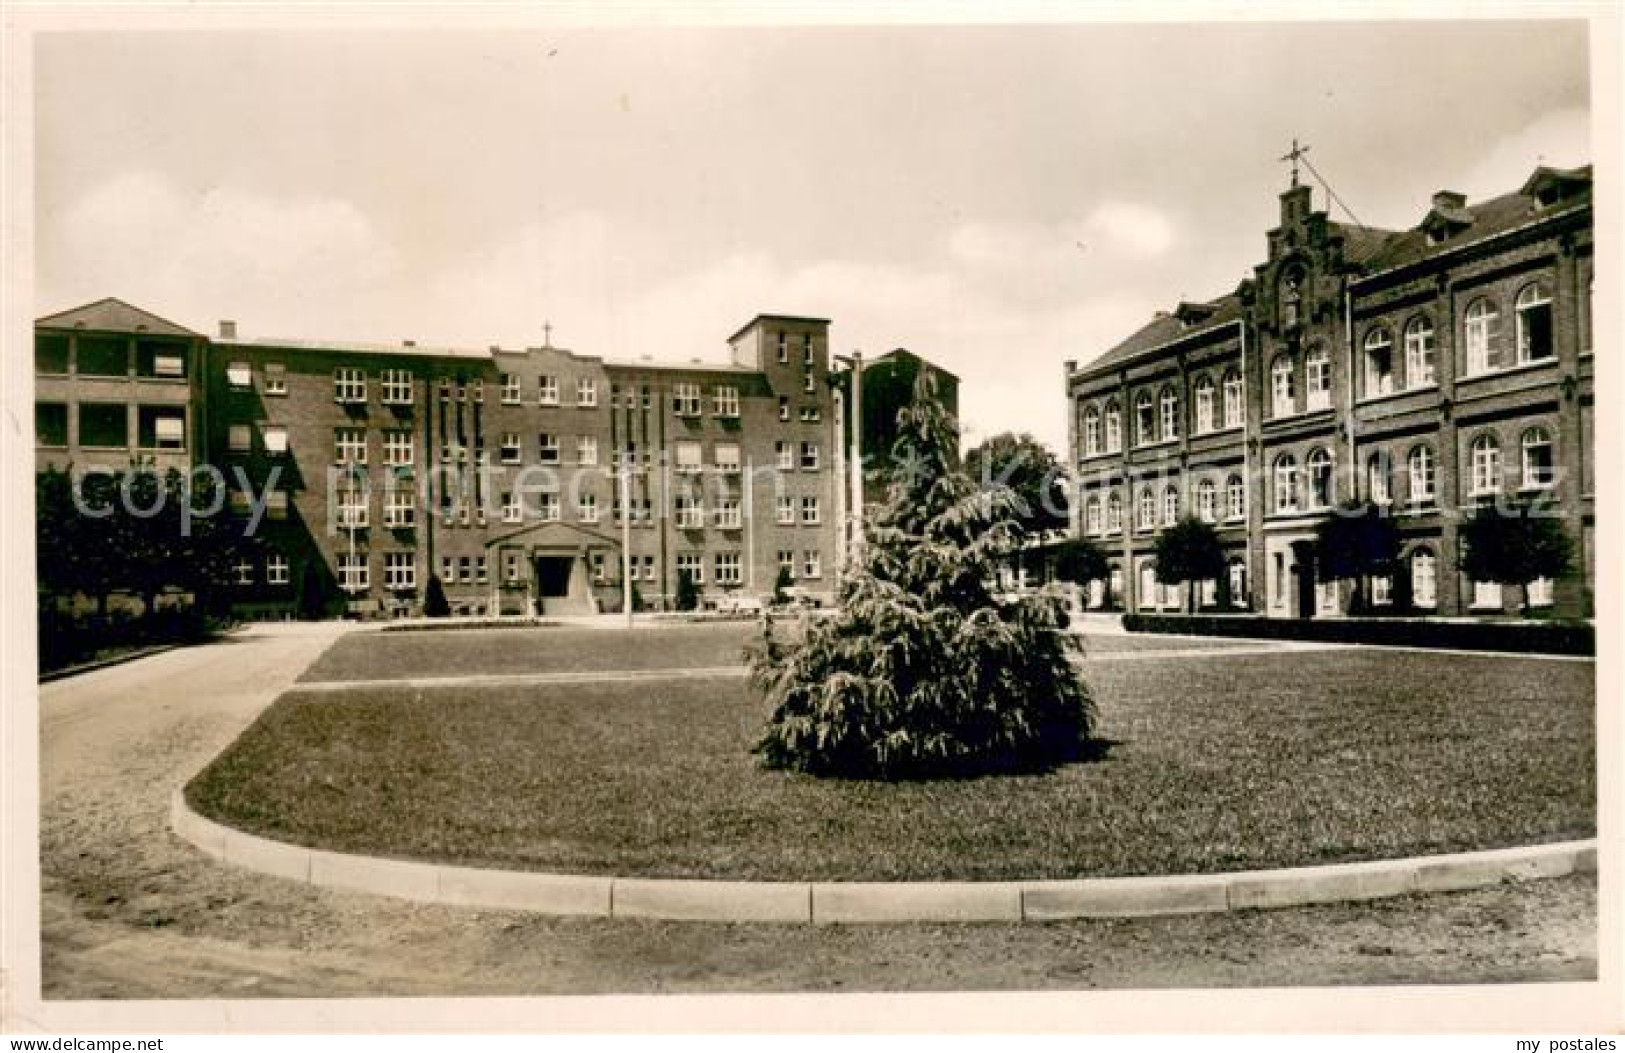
x=843, y=903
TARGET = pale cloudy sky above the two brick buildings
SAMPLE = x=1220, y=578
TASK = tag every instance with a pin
x=995, y=199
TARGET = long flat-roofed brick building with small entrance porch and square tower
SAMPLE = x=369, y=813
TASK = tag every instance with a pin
x=366, y=469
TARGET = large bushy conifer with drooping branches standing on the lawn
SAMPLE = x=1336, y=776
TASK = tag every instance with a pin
x=924, y=672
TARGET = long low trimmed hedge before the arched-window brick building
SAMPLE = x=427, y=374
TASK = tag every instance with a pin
x=1528, y=638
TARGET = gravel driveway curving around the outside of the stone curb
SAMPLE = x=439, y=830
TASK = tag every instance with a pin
x=132, y=912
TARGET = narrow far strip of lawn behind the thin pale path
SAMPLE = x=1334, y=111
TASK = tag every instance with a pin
x=570, y=649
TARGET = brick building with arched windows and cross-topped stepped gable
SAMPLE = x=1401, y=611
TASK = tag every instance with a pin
x=1426, y=370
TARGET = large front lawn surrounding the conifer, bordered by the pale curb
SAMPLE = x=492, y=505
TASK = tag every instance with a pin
x=1220, y=763
